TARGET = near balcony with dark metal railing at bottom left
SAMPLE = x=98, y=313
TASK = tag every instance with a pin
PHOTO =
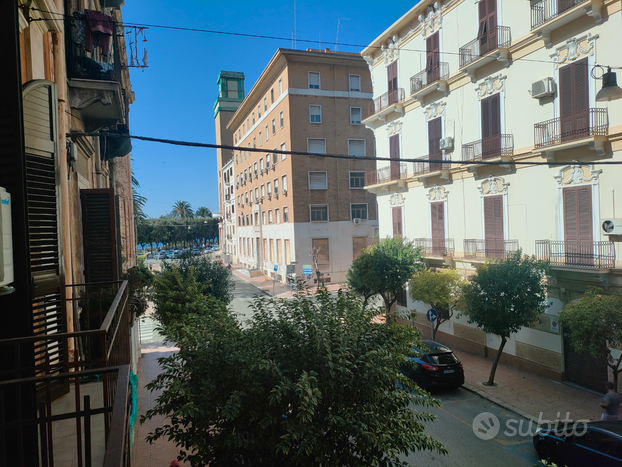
x=94, y=415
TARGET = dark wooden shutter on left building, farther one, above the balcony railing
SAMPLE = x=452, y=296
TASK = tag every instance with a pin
x=100, y=235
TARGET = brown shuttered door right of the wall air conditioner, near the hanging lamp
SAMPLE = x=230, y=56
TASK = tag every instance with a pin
x=574, y=101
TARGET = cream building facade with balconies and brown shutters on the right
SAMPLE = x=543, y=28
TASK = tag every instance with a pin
x=453, y=82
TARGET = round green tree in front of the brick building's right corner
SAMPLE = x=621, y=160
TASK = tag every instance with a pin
x=384, y=269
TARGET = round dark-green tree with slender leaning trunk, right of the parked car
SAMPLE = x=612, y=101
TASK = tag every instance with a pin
x=504, y=296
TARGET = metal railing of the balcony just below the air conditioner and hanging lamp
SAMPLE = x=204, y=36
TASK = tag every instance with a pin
x=590, y=122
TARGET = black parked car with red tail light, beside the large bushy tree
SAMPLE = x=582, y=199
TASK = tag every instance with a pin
x=437, y=367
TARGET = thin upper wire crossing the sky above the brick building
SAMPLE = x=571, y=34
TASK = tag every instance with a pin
x=278, y=38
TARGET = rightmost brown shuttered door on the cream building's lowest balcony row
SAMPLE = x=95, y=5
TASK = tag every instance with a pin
x=578, y=235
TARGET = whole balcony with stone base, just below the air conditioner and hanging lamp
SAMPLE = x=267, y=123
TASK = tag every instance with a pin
x=587, y=128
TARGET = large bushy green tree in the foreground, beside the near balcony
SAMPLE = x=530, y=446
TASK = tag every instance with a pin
x=308, y=381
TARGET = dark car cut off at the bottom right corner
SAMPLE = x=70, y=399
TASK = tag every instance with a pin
x=598, y=444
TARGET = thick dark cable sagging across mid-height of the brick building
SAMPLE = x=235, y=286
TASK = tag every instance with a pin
x=329, y=156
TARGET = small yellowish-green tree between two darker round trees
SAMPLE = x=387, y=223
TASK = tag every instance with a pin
x=442, y=290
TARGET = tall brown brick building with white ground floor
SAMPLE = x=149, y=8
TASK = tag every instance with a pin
x=295, y=210
